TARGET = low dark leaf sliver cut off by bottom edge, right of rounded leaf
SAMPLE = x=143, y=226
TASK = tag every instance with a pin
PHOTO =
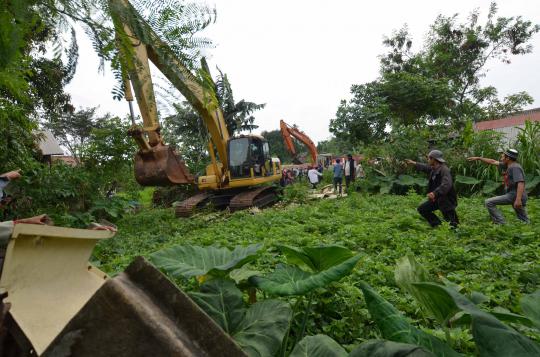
x=383, y=348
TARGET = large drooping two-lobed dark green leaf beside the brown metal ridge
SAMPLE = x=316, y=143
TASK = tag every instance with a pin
x=259, y=330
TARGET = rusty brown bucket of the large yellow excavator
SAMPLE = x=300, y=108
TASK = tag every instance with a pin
x=161, y=166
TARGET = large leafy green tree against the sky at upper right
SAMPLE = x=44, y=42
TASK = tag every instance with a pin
x=441, y=82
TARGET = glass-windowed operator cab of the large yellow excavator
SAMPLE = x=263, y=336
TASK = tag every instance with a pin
x=249, y=155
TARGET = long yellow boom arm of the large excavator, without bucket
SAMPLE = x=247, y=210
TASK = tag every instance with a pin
x=138, y=43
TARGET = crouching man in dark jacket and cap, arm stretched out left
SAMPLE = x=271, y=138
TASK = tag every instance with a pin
x=441, y=193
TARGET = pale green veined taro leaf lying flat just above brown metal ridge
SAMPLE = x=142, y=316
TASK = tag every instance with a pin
x=187, y=261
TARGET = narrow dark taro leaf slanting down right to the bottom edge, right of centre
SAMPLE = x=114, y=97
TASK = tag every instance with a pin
x=396, y=328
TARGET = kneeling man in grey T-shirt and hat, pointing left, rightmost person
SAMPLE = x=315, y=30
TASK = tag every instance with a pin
x=514, y=183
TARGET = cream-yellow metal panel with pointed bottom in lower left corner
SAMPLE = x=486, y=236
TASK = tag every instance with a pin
x=48, y=278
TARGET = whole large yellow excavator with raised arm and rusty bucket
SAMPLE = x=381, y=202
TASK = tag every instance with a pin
x=241, y=168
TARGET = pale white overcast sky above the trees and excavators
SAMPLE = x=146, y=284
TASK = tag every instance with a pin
x=301, y=57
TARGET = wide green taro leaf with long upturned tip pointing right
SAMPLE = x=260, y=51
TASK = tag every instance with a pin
x=287, y=280
